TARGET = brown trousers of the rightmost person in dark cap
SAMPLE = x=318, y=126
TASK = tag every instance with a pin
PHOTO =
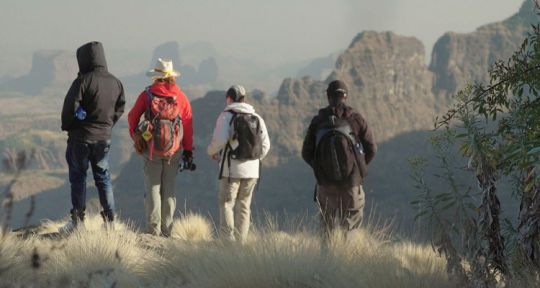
x=340, y=207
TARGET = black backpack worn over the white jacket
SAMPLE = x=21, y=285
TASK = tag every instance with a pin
x=246, y=140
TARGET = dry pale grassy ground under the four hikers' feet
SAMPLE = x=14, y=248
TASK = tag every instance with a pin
x=192, y=257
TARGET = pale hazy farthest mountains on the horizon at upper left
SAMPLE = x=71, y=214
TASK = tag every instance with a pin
x=202, y=67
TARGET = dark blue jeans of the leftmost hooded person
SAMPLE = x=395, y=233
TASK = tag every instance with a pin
x=79, y=155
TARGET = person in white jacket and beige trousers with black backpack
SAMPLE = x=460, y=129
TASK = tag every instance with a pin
x=238, y=177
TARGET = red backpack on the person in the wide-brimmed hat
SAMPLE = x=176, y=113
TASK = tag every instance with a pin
x=164, y=124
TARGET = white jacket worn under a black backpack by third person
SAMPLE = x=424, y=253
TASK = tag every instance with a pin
x=223, y=133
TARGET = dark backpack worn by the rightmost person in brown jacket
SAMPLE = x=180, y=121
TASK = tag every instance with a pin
x=338, y=154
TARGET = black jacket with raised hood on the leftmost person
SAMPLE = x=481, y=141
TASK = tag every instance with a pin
x=98, y=92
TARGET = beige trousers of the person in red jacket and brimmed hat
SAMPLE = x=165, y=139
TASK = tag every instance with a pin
x=160, y=198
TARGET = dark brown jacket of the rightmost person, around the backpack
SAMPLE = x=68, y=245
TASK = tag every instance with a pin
x=359, y=126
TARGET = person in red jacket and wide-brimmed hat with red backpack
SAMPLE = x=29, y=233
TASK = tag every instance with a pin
x=165, y=130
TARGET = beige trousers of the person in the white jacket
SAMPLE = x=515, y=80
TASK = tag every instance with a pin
x=235, y=207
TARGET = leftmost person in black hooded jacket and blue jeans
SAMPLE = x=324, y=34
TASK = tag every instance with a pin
x=94, y=103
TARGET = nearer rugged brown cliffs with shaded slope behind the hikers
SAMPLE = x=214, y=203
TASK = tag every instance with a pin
x=390, y=84
